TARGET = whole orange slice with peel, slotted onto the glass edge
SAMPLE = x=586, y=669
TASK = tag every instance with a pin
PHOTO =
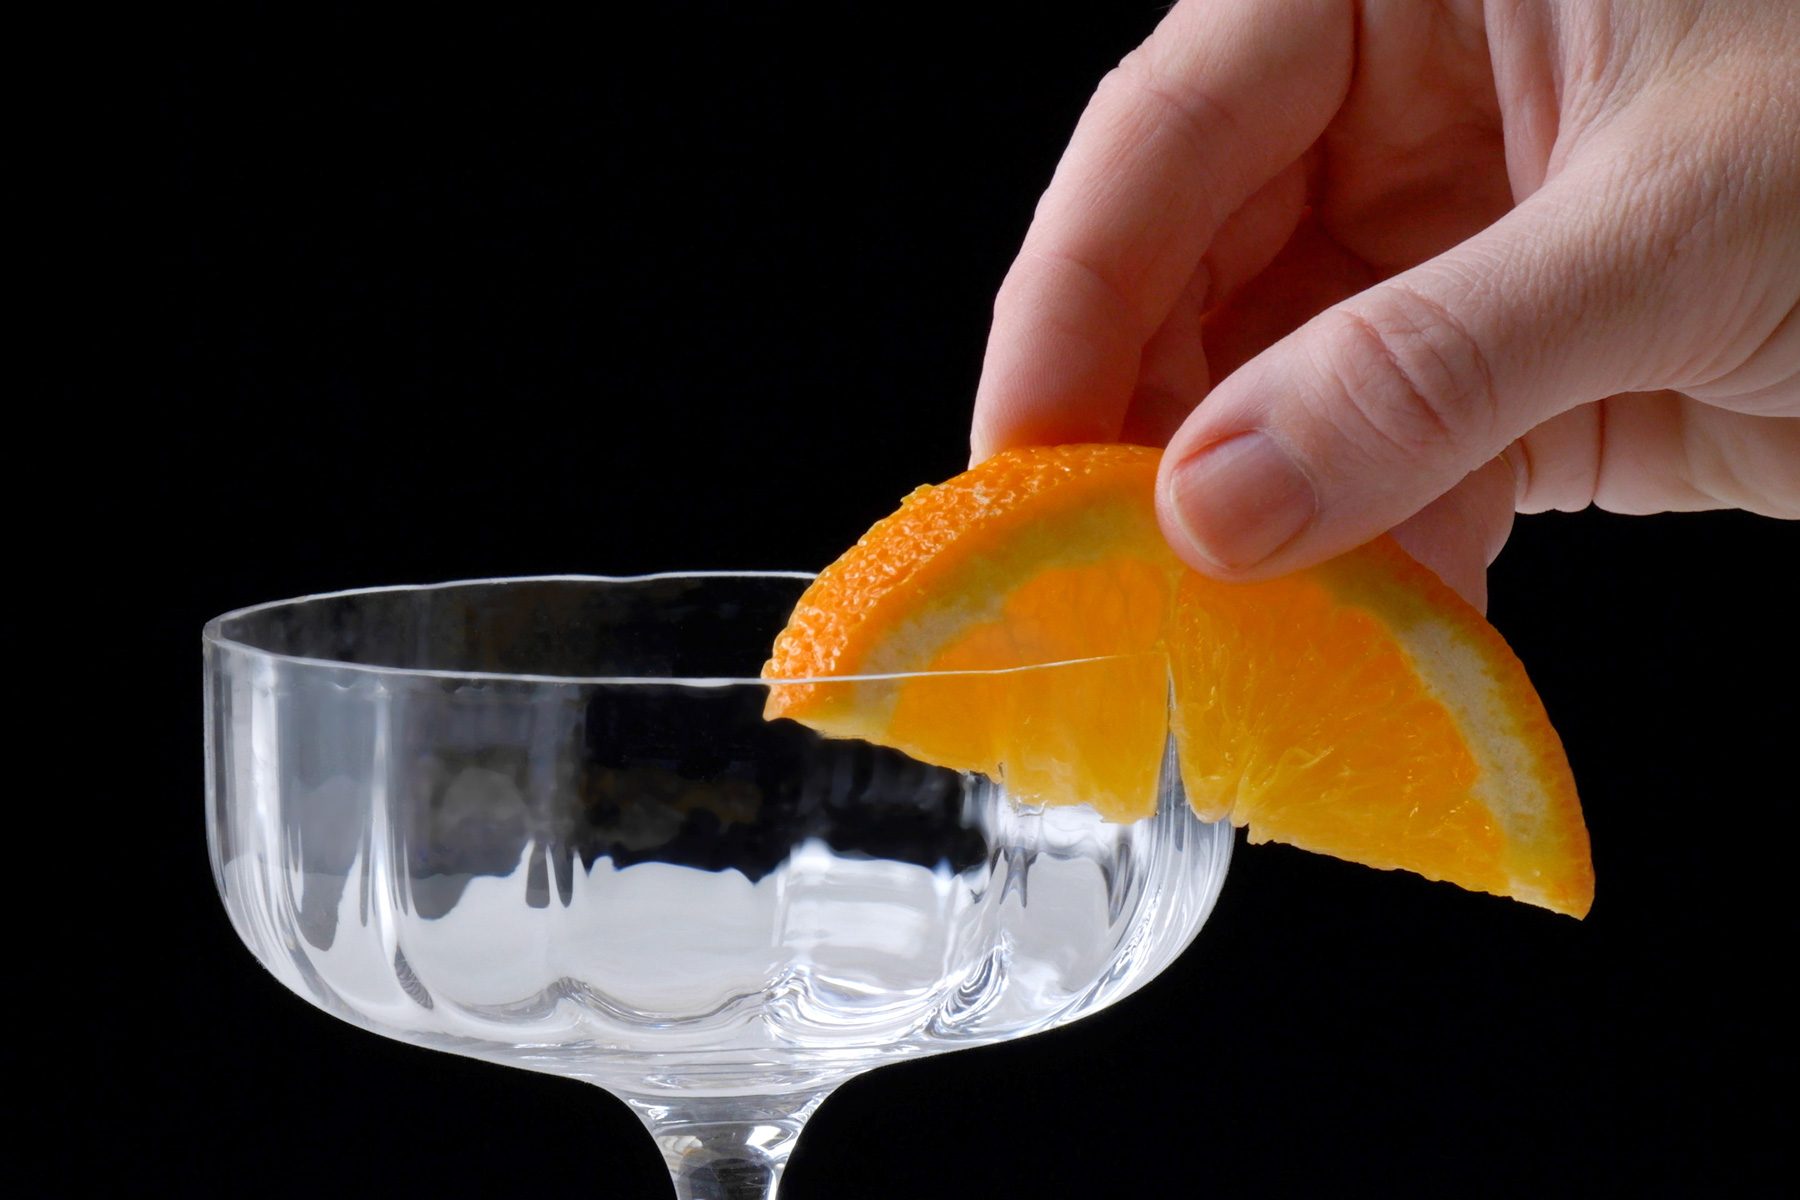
x=1027, y=622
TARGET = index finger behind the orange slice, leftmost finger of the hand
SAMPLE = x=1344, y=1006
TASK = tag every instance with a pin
x=1178, y=138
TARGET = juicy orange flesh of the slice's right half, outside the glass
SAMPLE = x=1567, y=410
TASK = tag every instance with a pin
x=1329, y=742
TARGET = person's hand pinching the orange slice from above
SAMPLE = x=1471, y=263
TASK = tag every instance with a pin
x=1416, y=267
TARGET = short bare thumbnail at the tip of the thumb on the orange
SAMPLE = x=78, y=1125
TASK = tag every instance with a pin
x=1241, y=501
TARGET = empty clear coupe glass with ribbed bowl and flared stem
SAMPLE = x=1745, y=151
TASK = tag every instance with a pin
x=544, y=823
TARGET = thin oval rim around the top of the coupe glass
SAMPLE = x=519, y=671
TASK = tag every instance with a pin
x=215, y=636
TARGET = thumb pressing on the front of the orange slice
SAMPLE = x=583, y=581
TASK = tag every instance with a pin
x=1383, y=404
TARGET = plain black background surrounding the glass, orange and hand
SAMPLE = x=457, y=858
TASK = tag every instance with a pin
x=706, y=291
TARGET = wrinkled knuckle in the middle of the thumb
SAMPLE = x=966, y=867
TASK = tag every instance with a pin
x=1412, y=377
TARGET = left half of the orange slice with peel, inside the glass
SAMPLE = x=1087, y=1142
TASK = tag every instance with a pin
x=1027, y=562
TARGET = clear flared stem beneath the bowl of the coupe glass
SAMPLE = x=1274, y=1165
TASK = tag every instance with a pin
x=726, y=1147
